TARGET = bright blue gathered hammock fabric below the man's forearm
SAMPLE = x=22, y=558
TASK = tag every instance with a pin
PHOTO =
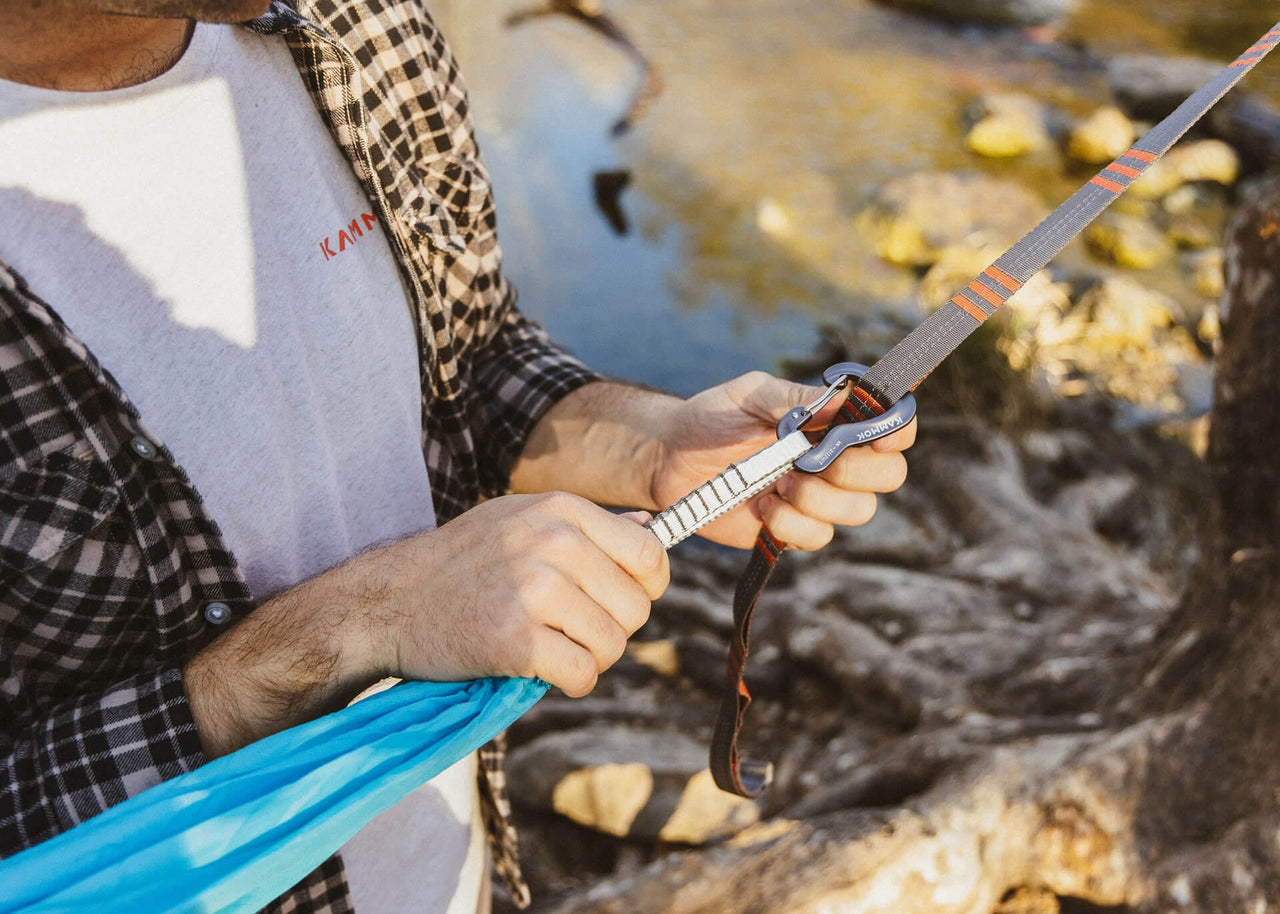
x=239, y=831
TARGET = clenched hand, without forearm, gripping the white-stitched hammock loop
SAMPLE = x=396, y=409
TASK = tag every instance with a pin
x=525, y=586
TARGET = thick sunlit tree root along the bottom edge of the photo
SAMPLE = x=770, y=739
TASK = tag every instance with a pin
x=1055, y=812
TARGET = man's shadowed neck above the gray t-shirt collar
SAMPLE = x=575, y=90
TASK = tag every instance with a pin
x=53, y=48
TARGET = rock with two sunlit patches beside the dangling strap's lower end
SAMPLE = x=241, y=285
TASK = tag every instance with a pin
x=629, y=784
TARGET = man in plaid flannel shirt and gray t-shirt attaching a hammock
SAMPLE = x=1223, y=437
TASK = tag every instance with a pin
x=255, y=345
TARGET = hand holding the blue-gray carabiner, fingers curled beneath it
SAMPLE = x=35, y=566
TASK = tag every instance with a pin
x=725, y=424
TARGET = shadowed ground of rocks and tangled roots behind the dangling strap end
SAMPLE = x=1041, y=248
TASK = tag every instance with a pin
x=1002, y=596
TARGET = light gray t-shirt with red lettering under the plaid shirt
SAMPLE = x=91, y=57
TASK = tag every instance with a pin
x=207, y=240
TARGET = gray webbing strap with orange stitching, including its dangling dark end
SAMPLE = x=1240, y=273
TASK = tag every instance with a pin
x=922, y=350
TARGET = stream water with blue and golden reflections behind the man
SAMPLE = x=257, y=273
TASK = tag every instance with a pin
x=778, y=125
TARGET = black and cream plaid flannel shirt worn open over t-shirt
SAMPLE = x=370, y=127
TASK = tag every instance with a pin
x=108, y=556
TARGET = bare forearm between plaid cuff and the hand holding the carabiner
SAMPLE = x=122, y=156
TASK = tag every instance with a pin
x=602, y=442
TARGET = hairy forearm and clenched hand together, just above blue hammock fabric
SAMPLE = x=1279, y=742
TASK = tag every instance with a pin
x=525, y=586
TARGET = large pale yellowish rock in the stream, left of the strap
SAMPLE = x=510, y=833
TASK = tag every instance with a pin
x=913, y=221
